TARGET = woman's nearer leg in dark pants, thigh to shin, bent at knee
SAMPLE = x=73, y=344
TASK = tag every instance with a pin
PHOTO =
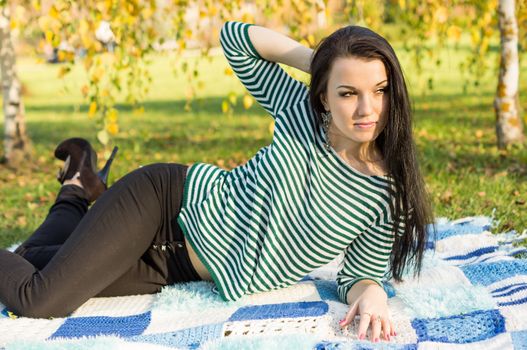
x=108, y=242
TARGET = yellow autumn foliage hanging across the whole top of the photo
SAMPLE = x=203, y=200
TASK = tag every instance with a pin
x=139, y=27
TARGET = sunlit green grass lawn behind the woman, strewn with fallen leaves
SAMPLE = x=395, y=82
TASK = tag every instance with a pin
x=464, y=172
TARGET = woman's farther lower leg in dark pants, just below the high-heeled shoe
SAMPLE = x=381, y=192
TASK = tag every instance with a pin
x=63, y=217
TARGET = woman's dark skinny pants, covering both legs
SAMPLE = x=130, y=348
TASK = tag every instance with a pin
x=128, y=242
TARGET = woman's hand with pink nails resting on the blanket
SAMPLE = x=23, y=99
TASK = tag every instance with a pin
x=368, y=300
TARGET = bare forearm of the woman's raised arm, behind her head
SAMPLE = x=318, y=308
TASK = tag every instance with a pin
x=276, y=47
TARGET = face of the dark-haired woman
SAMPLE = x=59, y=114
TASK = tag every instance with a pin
x=357, y=97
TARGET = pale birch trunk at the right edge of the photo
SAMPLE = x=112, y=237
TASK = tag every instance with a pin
x=509, y=126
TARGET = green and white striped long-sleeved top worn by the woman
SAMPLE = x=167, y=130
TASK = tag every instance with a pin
x=291, y=208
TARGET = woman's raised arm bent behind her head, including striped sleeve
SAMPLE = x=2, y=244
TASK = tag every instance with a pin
x=254, y=53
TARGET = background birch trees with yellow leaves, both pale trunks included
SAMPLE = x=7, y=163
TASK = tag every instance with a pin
x=114, y=40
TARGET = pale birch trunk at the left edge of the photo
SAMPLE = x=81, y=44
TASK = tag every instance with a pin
x=16, y=143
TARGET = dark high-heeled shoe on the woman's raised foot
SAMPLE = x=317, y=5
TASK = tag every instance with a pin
x=80, y=161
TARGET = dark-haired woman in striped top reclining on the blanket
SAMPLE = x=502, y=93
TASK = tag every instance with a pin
x=340, y=175
